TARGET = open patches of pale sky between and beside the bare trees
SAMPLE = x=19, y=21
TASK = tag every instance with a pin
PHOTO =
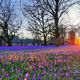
x=72, y=18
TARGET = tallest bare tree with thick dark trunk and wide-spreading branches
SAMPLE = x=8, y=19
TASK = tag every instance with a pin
x=57, y=8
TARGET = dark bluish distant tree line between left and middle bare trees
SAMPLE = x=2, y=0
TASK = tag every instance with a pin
x=27, y=41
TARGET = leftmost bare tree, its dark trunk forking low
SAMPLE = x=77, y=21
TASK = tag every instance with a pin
x=9, y=22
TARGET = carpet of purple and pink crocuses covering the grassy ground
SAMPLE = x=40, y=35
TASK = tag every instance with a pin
x=40, y=63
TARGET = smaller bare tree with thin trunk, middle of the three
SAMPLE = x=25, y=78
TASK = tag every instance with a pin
x=39, y=21
